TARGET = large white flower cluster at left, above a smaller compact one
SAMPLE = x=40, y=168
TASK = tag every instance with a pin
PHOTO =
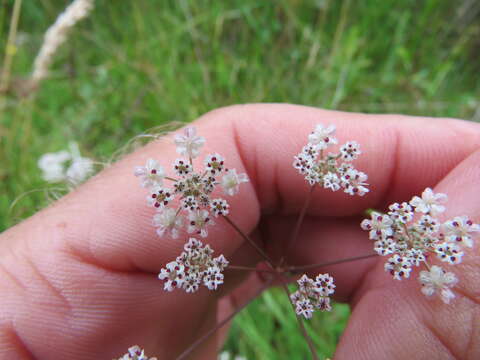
x=193, y=189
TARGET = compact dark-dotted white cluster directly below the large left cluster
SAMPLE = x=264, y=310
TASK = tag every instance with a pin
x=193, y=267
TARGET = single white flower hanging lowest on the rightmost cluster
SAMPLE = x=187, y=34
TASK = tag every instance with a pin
x=438, y=280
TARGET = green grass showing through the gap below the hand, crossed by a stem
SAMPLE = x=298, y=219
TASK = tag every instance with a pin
x=276, y=335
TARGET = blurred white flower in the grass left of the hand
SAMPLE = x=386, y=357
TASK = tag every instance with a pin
x=66, y=165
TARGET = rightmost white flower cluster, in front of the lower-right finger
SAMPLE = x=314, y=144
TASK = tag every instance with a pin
x=409, y=239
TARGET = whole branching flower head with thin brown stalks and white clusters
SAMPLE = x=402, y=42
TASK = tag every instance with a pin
x=189, y=205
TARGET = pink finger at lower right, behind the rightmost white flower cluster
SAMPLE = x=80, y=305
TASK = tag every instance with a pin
x=393, y=319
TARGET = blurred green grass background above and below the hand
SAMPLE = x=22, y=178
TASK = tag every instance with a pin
x=133, y=65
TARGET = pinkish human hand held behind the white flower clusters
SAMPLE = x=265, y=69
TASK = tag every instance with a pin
x=78, y=279
